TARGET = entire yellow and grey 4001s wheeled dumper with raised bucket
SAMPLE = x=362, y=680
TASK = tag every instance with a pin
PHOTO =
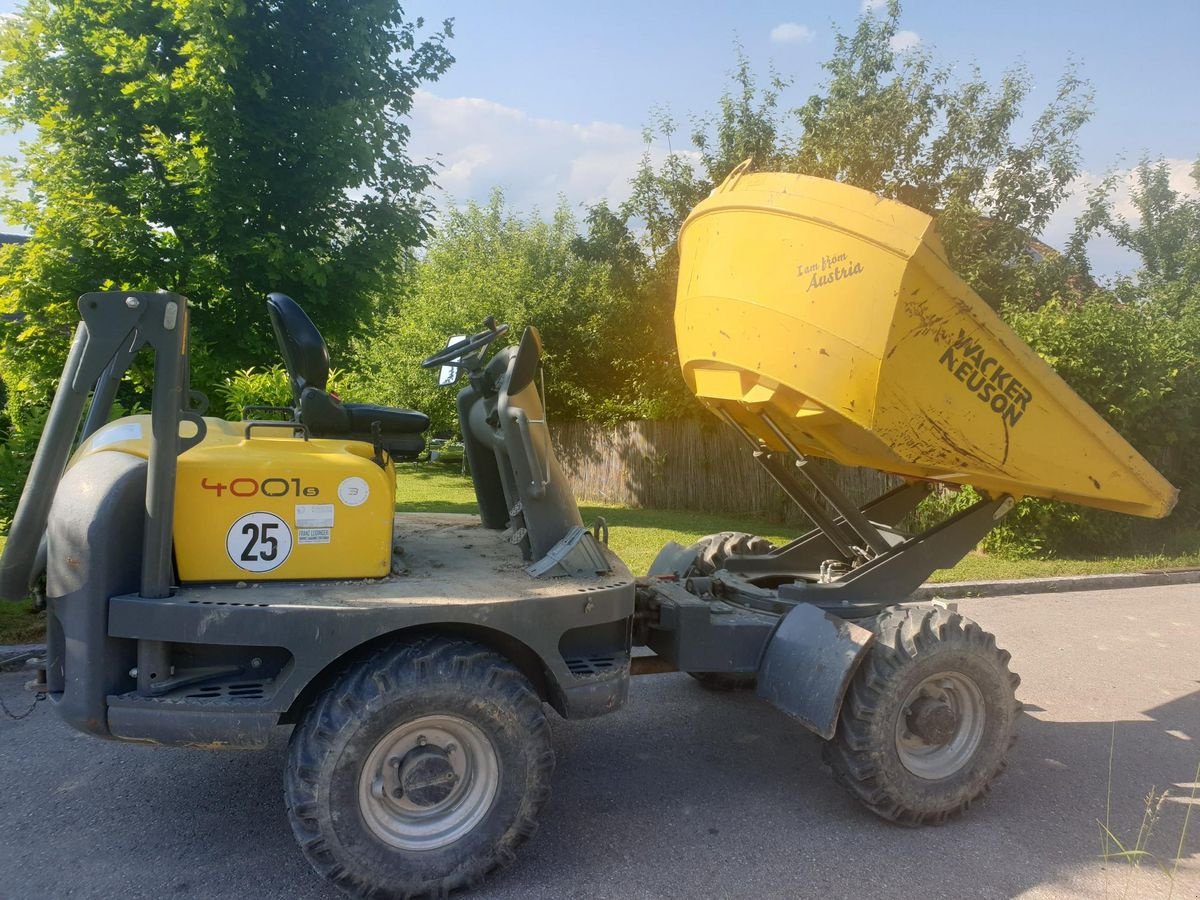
x=209, y=581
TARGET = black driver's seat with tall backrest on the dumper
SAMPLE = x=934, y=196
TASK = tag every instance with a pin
x=307, y=358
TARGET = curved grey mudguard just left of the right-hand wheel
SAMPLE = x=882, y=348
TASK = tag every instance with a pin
x=808, y=664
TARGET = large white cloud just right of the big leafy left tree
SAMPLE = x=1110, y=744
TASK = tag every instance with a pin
x=483, y=145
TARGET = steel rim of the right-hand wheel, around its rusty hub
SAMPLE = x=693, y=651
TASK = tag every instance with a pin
x=939, y=760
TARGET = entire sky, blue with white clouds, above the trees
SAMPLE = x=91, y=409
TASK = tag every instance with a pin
x=550, y=99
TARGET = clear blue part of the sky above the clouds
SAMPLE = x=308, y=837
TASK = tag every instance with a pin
x=614, y=62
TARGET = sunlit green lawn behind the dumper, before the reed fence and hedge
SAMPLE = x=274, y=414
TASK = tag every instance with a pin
x=638, y=535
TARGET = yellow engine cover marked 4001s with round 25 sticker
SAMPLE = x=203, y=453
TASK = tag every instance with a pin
x=272, y=507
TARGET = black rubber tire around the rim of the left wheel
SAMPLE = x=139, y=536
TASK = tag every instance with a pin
x=328, y=749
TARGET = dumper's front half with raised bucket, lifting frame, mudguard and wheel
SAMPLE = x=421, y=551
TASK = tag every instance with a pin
x=819, y=320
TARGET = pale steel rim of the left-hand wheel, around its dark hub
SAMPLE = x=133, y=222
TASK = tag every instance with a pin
x=399, y=821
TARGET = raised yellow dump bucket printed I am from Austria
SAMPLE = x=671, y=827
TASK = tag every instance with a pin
x=833, y=316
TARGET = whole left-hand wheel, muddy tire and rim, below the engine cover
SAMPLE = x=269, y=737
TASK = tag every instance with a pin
x=421, y=771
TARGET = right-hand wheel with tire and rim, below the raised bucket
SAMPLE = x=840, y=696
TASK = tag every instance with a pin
x=929, y=718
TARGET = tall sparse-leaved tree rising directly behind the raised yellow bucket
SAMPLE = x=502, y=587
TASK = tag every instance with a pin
x=899, y=125
